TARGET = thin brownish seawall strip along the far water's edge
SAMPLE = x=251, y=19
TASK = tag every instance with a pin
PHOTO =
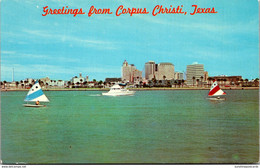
x=134, y=89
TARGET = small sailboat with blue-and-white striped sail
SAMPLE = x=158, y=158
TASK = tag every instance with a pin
x=35, y=94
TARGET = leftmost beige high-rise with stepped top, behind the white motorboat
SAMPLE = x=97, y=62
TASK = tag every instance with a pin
x=130, y=73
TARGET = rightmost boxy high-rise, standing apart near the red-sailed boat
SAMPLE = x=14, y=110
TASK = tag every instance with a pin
x=195, y=70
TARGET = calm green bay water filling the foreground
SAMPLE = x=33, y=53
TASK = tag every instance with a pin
x=149, y=127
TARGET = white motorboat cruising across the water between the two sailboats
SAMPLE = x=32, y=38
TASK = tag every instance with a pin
x=116, y=90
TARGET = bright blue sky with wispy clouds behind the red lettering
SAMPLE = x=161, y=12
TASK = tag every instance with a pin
x=62, y=46
